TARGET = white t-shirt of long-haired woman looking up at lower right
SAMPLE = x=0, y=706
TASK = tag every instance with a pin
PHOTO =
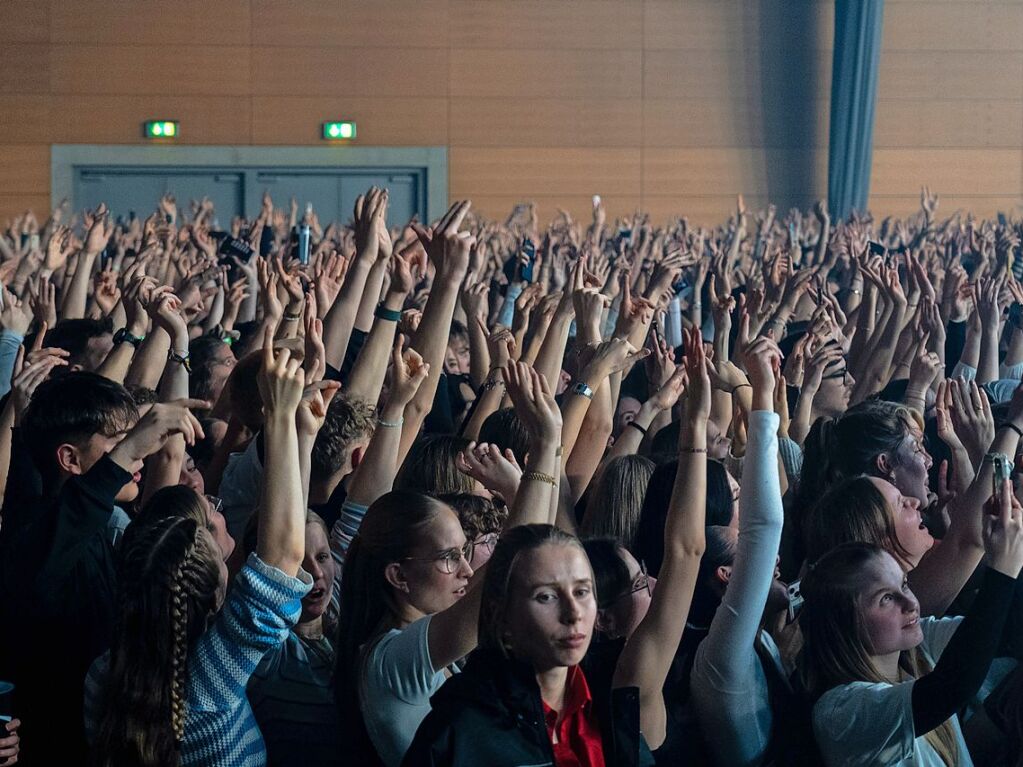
x=871, y=724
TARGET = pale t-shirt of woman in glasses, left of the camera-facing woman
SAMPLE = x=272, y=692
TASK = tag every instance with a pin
x=397, y=682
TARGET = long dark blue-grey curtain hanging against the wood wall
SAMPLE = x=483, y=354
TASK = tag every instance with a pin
x=855, y=87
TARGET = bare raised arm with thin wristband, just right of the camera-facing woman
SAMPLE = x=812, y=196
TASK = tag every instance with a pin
x=650, y=651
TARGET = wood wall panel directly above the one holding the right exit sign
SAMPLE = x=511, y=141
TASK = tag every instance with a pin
x=350, y=72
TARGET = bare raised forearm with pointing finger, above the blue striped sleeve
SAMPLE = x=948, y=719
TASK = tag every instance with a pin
x=282, y=538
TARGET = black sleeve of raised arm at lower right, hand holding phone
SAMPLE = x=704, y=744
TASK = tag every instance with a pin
x=963, y=666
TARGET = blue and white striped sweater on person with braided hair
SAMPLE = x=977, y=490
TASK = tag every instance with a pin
x=220, y=729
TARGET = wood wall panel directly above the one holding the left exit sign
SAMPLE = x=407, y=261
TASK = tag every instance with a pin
x=141, y=70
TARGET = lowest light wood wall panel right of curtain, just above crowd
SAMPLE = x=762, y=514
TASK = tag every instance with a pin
x=966, y=172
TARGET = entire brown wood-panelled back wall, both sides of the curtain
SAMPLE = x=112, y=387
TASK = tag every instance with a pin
x=670, y=106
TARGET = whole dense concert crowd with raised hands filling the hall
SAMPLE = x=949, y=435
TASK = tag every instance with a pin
x=473, y=492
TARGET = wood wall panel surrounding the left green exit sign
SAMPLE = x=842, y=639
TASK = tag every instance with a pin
x=118, y=120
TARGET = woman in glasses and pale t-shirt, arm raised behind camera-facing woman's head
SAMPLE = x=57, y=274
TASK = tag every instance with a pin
x=409, y=608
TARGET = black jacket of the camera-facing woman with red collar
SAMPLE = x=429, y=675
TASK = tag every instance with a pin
x=493, y=715
